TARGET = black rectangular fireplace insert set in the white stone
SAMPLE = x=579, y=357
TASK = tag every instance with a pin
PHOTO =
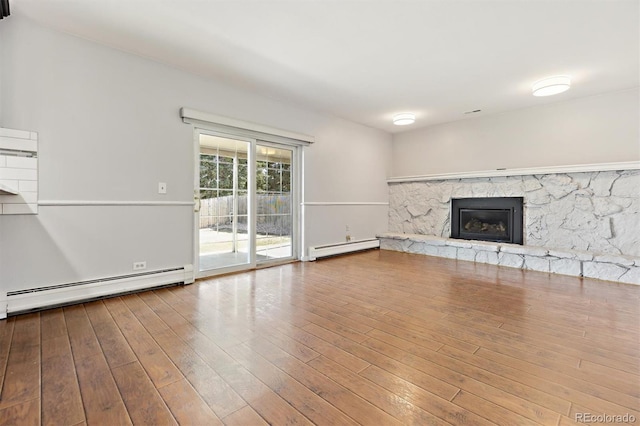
x=488, y=219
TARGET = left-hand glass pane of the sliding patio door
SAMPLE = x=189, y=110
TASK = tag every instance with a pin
x=223, y=218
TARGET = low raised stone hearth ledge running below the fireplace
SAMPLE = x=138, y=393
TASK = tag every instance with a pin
x=608, y=267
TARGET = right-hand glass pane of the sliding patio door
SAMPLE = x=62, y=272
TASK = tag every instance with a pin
x=274, y=203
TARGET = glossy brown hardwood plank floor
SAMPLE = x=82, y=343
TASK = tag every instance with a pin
x=372, y=338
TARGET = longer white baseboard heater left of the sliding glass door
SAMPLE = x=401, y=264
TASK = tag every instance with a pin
x=59, y=295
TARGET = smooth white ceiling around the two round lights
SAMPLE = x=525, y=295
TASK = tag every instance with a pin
x=366, y=60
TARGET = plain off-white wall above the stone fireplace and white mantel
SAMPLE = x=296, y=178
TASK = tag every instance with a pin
x=597, y=129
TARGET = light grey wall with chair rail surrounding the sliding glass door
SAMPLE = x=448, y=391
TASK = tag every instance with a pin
x=109, y=130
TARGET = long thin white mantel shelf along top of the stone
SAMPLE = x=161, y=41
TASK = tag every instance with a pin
x=600, y=167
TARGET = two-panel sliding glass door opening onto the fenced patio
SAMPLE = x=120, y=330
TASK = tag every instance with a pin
x=246, y=204
